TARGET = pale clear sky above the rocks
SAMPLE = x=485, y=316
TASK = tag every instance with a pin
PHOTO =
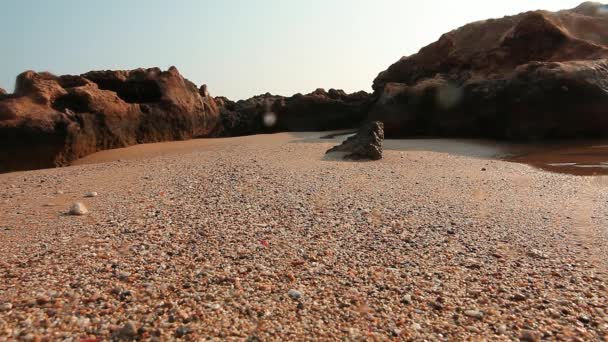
x=239, y=48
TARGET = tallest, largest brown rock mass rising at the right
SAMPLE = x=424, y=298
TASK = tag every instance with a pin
x=536, y=75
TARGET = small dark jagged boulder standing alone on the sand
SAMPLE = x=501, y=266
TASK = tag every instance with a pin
x=366, y=144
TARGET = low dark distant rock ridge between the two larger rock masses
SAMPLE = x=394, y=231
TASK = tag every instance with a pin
x=318, y=111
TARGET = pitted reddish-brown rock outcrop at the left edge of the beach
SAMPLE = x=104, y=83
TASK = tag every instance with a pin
x=52, y=120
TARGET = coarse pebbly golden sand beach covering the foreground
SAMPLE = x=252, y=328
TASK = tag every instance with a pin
x=267, y=238
